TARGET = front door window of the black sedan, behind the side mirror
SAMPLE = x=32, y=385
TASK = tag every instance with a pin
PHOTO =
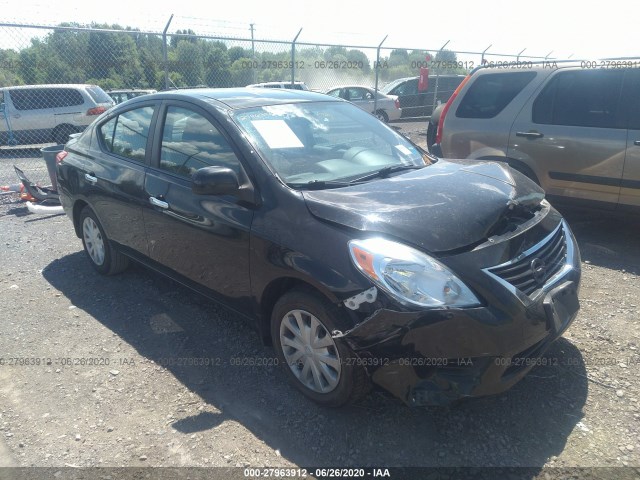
x=191, y=142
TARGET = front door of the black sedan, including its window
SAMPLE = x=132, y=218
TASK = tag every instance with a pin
x=204, y=238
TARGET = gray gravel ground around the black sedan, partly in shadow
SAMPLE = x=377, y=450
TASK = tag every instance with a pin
x=99, y=371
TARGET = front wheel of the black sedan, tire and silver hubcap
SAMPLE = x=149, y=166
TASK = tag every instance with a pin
x=322, y=368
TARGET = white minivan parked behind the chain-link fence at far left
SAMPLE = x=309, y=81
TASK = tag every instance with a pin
x=31, y=114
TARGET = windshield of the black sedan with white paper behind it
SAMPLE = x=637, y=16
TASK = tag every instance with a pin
x=325, y=142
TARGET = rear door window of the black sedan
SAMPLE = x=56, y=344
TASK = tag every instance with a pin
x=126, y=135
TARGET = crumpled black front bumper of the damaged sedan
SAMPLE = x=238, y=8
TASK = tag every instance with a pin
x=438, y=356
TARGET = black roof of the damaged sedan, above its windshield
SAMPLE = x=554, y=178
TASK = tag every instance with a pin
x=238, y=98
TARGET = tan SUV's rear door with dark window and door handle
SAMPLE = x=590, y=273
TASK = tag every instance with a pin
x=573, y=135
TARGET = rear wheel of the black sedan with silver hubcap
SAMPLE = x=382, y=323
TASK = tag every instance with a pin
x=104, y=258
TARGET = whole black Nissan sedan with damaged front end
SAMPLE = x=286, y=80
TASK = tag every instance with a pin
x=361, y=258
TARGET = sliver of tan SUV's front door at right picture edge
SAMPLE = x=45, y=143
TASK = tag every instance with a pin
x=630, y=185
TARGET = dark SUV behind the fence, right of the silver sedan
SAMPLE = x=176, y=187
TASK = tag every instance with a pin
x=420, y=104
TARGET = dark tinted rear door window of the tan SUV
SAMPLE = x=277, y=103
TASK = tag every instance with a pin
x=582, y=98
